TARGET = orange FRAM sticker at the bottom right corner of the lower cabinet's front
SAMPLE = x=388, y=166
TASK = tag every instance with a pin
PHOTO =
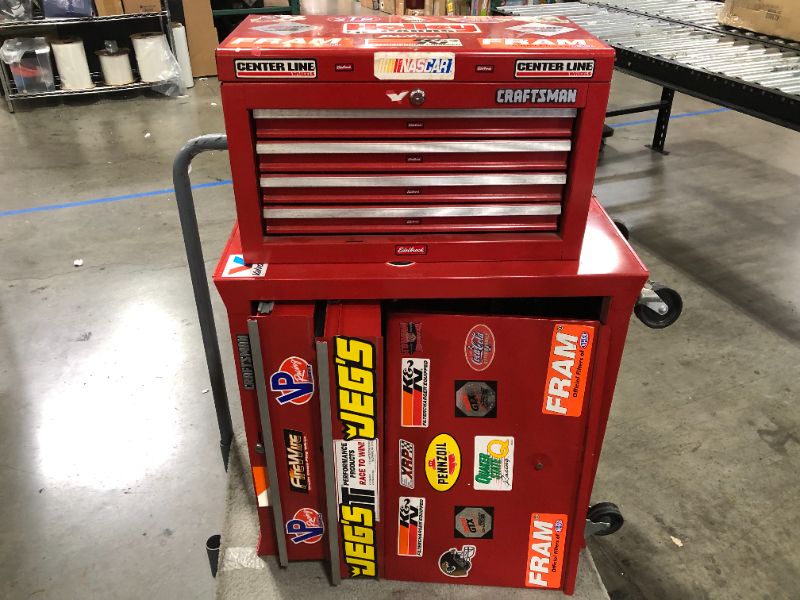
x=546, y=540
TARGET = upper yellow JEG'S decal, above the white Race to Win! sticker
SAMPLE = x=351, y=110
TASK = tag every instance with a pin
x=356, y=379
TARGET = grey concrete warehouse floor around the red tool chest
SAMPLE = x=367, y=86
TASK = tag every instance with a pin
x=110, y=477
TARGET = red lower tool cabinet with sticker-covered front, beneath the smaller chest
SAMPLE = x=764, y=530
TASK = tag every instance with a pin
x=435, y=422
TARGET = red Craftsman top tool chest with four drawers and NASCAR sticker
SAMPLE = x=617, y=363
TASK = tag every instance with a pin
x=442, y=138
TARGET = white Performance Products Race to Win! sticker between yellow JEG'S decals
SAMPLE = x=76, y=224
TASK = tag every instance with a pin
x=357, y=473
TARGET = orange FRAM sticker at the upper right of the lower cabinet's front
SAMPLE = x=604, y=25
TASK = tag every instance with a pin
x=568, y=369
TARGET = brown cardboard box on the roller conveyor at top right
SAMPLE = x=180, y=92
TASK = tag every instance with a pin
x=780, y=18
